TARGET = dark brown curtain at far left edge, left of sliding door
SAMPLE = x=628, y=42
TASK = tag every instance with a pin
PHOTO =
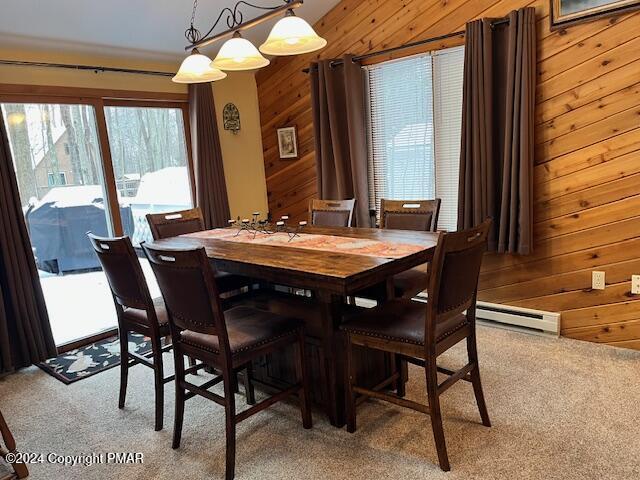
x=25, y=333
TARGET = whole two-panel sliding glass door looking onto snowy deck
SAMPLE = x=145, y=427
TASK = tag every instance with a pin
x=99, y=167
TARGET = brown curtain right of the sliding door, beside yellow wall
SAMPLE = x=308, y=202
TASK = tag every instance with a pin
x=211, y=187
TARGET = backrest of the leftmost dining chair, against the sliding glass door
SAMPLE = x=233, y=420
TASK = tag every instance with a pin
x=124, y=273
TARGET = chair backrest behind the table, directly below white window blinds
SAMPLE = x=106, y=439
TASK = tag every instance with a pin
x=419, y=215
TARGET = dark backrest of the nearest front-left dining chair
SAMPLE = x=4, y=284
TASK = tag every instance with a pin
x=186, y=280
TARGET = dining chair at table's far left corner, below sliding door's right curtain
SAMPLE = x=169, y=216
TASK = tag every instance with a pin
x=172, y=224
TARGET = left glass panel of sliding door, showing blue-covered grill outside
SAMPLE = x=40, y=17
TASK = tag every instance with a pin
x=59, y=169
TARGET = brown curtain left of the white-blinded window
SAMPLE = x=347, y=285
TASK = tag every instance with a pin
x=339, y=120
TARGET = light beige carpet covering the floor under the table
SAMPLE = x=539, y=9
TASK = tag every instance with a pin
x=561, y=409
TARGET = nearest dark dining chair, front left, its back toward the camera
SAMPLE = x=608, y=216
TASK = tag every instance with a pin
x=229, y=339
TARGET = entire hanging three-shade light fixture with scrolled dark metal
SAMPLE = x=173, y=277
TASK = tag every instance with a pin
x=291, y=35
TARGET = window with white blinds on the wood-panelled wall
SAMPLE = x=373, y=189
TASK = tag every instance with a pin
x=415, y=117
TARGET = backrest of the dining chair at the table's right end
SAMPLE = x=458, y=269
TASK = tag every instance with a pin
x=453, y=276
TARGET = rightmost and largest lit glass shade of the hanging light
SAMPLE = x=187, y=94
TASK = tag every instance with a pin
x=292, y=36
